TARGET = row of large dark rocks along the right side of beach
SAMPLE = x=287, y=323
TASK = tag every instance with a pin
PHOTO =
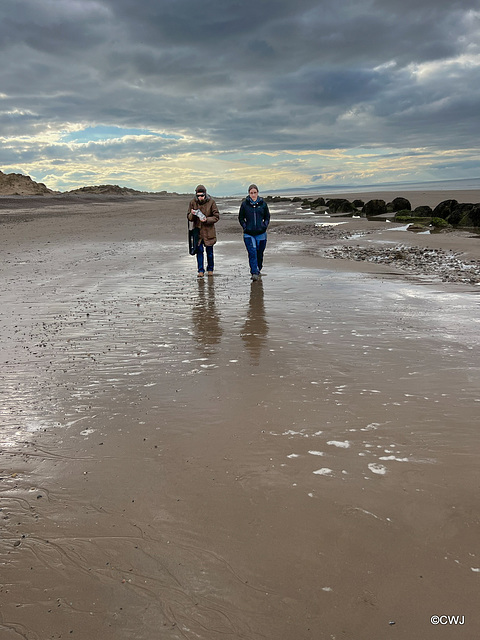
x=452, y=212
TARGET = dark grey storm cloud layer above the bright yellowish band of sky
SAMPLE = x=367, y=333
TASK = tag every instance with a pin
x=245, y=75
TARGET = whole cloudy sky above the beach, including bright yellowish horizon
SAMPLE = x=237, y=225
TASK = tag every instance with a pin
x=166, y=94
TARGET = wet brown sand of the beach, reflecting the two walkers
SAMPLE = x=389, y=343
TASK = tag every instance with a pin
x=289, y=459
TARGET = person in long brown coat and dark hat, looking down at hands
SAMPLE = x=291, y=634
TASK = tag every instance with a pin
x=203, y=212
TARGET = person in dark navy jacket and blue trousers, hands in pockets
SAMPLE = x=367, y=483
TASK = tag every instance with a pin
x=254, y=217
